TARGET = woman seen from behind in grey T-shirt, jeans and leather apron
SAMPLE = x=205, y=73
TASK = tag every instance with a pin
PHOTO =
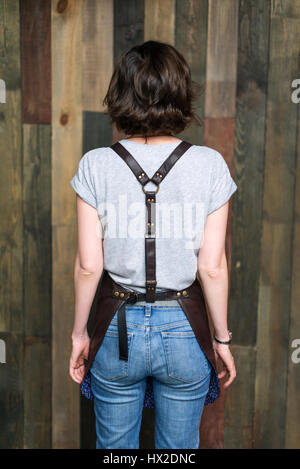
x=150, y=98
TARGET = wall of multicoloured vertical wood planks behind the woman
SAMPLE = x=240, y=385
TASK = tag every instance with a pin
x=57, y=57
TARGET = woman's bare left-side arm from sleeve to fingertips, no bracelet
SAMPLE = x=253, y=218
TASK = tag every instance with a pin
x=87, y=273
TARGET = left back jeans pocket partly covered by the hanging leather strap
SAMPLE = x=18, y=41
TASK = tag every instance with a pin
x=107, y=363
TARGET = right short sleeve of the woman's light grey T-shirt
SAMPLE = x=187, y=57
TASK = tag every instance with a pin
x=222, y=185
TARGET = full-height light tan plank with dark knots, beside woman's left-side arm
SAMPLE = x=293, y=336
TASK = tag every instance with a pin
x=66, y=152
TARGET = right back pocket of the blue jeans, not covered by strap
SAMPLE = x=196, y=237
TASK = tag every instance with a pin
x=185, y=358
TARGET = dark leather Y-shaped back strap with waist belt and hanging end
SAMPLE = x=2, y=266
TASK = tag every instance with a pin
x=150, y=249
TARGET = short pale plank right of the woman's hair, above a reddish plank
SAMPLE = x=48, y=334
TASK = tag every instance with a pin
x=221, y=73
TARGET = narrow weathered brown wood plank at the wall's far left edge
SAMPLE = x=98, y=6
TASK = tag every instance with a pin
x=11, y=231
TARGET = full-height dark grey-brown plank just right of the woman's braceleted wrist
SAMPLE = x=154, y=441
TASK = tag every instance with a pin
x=247, y=214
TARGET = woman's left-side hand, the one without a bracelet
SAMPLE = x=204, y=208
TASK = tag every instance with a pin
x=80, y=350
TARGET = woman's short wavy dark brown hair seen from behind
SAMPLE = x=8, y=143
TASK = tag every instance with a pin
x=151, y=91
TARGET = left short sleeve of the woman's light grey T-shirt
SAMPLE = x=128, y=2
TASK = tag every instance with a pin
x=82, y=181
